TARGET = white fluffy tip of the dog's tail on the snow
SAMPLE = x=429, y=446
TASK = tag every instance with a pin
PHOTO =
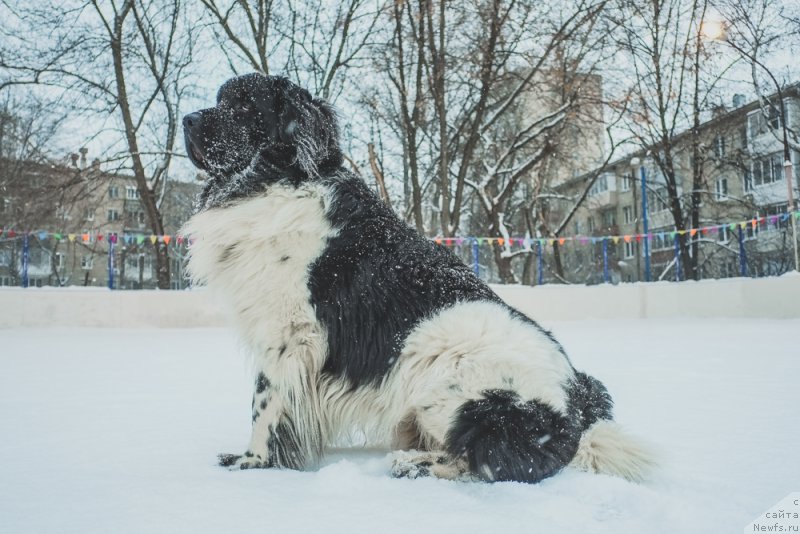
x=606, y=448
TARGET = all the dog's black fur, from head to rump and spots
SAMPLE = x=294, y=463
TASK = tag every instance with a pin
x=373, y=283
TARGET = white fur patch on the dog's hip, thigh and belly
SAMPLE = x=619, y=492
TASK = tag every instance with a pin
x=447, y=360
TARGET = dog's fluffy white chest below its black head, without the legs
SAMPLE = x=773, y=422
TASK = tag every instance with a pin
x=256, y=256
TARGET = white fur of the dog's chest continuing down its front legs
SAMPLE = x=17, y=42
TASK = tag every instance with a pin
x=264, y=282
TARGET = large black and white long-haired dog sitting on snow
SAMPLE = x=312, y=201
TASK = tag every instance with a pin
x=358, y=323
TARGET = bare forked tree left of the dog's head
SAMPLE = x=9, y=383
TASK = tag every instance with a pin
x=127, y=60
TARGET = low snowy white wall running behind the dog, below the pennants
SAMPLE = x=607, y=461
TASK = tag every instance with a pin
x=764, y=297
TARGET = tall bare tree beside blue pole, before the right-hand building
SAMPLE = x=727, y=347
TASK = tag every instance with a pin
x=674, y=81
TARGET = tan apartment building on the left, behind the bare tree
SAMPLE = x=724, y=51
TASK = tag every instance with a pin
x=69, y=211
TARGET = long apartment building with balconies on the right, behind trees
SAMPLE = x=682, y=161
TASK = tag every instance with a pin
x=742, y=158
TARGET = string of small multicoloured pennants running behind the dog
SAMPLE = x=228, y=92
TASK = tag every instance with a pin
x=139, y=239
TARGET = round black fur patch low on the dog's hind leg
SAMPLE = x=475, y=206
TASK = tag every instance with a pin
x=504, y=438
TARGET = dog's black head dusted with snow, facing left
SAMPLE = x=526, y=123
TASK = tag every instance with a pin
x=262, y=130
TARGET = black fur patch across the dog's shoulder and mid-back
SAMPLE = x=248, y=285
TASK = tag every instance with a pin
x=376, y=280
